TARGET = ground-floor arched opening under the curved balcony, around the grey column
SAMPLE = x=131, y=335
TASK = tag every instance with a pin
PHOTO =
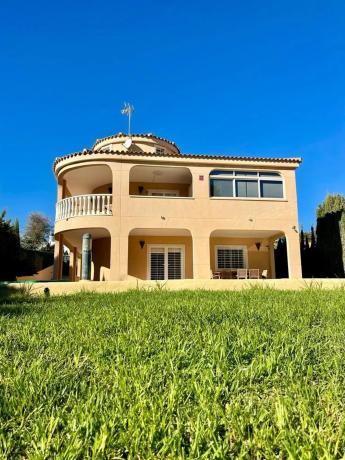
x=71, y=250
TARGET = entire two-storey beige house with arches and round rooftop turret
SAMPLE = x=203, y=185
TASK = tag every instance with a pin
x=154, y=213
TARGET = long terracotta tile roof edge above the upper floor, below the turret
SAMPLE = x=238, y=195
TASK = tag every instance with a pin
x=187, y=155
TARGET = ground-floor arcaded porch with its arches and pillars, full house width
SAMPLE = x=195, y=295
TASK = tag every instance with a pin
x=173, y=254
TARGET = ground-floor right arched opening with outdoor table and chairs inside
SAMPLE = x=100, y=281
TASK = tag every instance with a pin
x=250, y=250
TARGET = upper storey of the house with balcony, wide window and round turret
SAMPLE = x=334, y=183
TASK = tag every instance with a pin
x=151, y=177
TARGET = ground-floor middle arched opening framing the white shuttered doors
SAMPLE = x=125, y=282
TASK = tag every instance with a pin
x=160, y=254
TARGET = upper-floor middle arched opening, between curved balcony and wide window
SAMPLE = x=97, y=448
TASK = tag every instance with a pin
x=160, y=181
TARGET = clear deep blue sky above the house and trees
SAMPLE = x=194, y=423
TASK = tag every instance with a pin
x=254, y=77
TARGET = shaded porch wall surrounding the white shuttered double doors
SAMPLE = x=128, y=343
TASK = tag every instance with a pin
x=137, y=257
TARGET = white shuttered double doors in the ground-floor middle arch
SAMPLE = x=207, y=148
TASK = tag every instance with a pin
x=165, y=262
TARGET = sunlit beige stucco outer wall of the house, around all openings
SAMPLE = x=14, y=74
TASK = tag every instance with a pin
x=200, y=214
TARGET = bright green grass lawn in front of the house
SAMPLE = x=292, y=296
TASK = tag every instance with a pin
x=251, y=374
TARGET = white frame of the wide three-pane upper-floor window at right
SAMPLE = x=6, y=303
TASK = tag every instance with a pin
x=256, y=178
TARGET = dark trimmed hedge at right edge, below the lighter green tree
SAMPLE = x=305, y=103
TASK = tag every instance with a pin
x=330, y=237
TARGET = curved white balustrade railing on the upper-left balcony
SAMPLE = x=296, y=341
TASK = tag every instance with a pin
x=84, y=205
